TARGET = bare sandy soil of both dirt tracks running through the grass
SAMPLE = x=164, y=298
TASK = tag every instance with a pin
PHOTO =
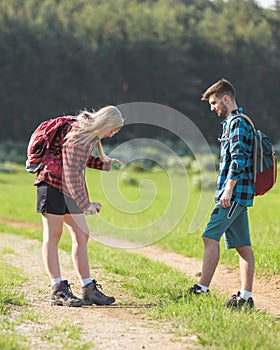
x=118, y=327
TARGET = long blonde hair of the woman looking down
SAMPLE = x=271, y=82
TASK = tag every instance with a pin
x=93, y=125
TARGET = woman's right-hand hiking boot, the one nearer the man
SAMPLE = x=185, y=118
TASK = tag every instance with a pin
x=91, y=295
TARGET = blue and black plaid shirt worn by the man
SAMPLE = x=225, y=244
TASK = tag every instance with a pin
x=236, y=160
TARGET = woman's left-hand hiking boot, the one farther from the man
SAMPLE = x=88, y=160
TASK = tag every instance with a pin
x=62, y=295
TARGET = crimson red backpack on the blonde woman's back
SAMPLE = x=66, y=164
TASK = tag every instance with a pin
x=41, y=140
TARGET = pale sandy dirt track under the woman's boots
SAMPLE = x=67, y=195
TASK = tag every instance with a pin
x=110, y=328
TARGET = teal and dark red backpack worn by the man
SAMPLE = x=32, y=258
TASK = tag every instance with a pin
x=264, y=159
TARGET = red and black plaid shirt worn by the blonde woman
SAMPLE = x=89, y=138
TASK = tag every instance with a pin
x=65, y=167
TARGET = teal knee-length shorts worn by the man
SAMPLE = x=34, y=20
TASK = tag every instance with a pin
x=233, y=222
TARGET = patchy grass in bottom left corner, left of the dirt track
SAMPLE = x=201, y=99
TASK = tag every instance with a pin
x=59, y=334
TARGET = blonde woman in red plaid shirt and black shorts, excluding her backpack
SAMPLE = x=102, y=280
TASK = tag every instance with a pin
x=62, y=198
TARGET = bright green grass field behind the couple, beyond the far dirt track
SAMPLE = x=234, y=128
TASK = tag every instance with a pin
x=141, y=208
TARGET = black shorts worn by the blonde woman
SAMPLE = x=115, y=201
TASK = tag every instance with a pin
x=50, y=200
